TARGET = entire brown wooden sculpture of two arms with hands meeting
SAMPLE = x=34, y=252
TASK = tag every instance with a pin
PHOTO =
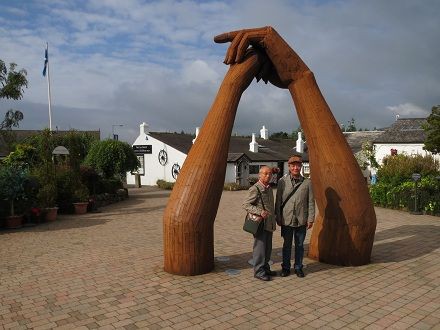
x=343, y=233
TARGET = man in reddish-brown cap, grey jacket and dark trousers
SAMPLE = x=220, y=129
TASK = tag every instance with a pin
x=295, y=213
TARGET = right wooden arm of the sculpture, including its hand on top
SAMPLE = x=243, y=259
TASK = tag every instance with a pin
x=343, y=233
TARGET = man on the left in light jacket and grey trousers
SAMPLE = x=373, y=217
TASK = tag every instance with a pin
x=260, y=202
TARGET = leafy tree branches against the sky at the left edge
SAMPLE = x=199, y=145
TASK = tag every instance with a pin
x=12, y=87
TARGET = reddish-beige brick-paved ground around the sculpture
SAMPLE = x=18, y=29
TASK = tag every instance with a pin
x=104, y=270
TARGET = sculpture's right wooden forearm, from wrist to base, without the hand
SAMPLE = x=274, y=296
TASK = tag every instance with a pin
x=343, y=232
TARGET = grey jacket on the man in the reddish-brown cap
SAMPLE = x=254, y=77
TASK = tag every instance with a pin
x=300, y=208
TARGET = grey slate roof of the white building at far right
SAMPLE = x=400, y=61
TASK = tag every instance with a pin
x=404, y=130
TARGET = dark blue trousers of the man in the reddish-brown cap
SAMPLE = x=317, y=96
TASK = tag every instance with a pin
x=299, y=234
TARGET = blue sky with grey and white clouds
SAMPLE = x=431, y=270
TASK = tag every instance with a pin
x=115, y=64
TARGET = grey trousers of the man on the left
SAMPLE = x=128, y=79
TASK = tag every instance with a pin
x=262, y=251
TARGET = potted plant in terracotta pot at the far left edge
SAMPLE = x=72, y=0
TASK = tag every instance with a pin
x=12, y=189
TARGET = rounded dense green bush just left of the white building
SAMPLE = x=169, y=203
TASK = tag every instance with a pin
x=112, y=158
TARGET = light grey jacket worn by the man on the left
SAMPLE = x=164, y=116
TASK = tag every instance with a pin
x=252, y=204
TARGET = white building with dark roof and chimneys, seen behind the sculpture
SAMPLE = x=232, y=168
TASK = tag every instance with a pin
x=162, y=155
